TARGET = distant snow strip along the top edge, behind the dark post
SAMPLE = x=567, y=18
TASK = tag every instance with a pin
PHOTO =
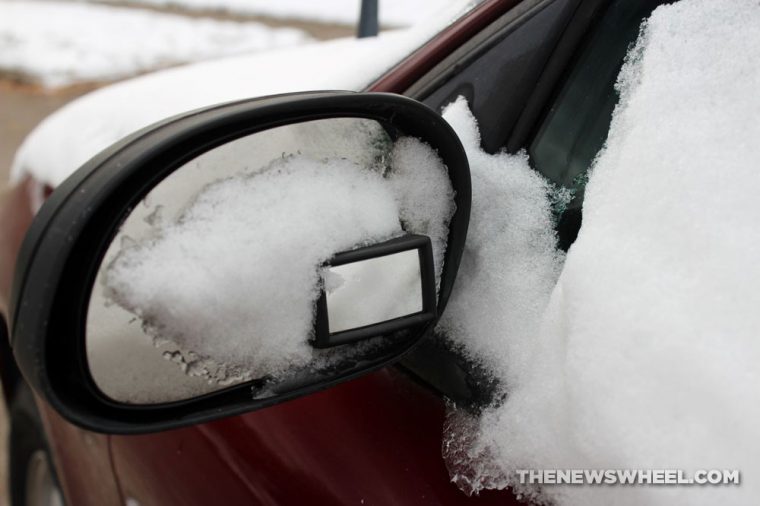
x=391, y=12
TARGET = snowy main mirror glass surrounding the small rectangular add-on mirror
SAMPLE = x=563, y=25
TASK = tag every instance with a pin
x=230, y=281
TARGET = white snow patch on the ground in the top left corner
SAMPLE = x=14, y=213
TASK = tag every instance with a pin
x=57, y=43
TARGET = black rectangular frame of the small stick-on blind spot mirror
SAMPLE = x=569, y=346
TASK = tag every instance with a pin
x=323, y=338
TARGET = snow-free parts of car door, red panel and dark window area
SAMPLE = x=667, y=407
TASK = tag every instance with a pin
x=539, y=77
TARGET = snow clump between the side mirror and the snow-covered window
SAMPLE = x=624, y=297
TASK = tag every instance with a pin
x=510, y=253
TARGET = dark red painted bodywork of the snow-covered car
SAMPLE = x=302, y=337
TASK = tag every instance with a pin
x=374, y=440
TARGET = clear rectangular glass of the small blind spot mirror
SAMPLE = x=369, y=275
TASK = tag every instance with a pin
x=373, y=291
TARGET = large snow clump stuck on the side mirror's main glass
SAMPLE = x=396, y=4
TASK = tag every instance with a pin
x=236, y=277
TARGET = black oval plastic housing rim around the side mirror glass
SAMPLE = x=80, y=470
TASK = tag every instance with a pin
x=68, y=239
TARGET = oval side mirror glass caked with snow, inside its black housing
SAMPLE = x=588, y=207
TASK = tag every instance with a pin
x=215, y=277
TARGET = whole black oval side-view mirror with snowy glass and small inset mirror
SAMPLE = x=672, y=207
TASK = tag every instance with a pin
x=239, y=256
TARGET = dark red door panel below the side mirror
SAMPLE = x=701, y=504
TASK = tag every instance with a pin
x=375, y=440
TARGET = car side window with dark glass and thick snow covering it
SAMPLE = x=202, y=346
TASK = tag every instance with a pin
x=637, y=349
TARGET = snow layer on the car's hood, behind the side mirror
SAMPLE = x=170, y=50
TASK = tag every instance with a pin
x=78, y=131
